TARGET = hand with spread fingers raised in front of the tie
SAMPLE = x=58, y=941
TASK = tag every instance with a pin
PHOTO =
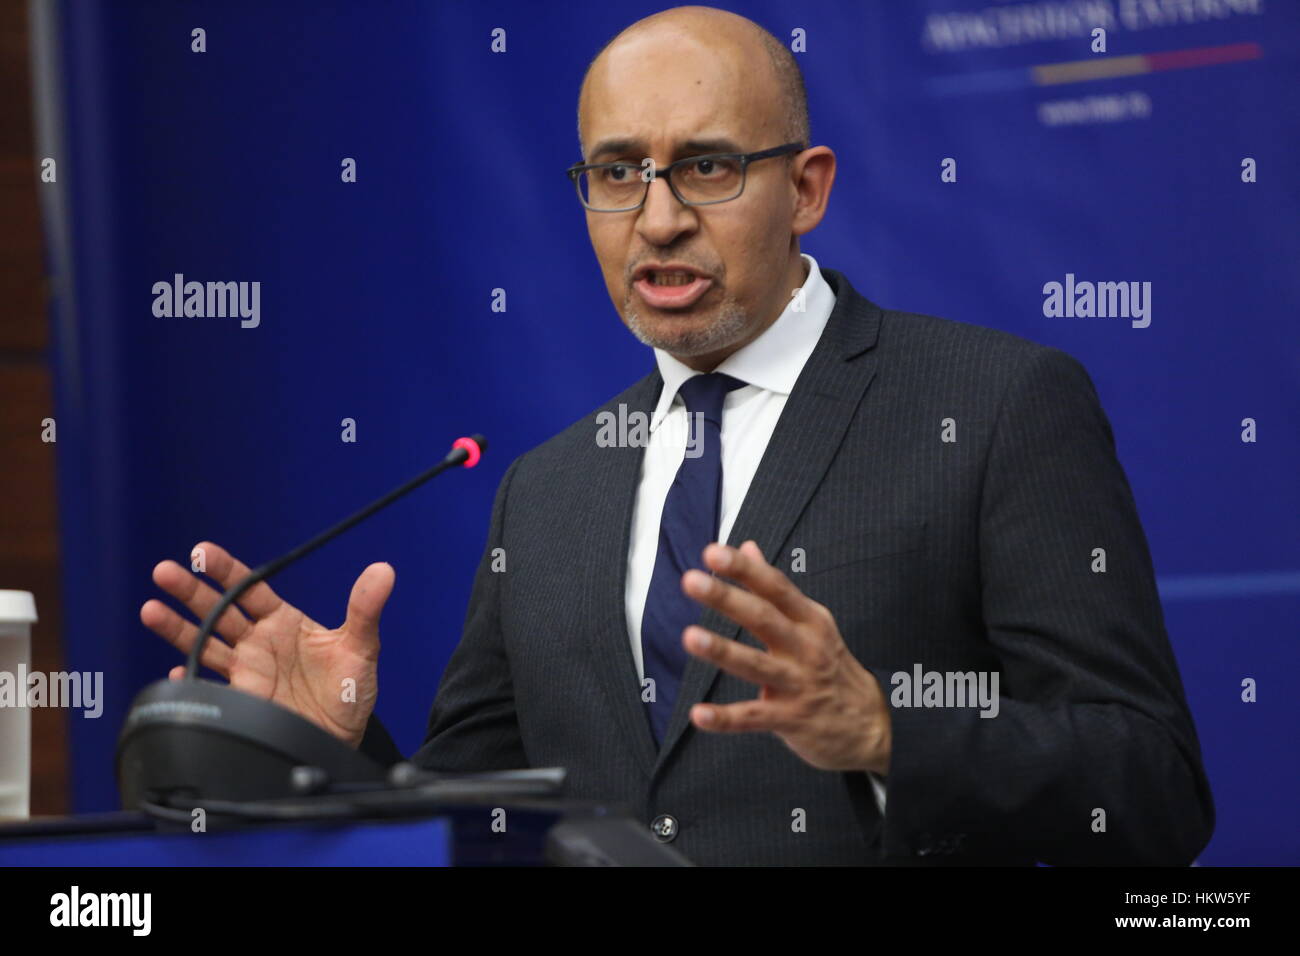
x=814, y=695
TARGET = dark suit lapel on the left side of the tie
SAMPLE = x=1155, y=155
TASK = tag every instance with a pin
x=616, y=474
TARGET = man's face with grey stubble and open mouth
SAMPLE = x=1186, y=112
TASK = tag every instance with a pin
x=668, y=98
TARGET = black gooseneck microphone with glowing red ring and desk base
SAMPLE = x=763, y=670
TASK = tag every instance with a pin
x=202, y=741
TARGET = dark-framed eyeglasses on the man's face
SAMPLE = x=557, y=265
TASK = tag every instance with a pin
x=716, y=178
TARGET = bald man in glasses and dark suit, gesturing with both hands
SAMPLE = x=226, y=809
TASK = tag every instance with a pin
x=913, y=656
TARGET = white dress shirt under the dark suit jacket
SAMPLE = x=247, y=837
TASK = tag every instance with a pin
x=770, y=365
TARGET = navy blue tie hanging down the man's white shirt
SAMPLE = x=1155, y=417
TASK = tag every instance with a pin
x=690, y=522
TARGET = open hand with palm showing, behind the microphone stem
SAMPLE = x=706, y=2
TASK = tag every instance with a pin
x=274, y=650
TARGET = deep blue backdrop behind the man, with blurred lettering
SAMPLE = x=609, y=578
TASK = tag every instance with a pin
x=376, y=296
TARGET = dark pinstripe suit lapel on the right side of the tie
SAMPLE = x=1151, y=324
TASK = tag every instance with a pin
x=803, y=447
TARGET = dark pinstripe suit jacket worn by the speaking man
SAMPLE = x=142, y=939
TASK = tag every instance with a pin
x=974, y=555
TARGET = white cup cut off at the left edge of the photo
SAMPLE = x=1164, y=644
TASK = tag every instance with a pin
x=18, y=615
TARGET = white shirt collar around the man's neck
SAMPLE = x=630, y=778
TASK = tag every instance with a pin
x=773, y=361
